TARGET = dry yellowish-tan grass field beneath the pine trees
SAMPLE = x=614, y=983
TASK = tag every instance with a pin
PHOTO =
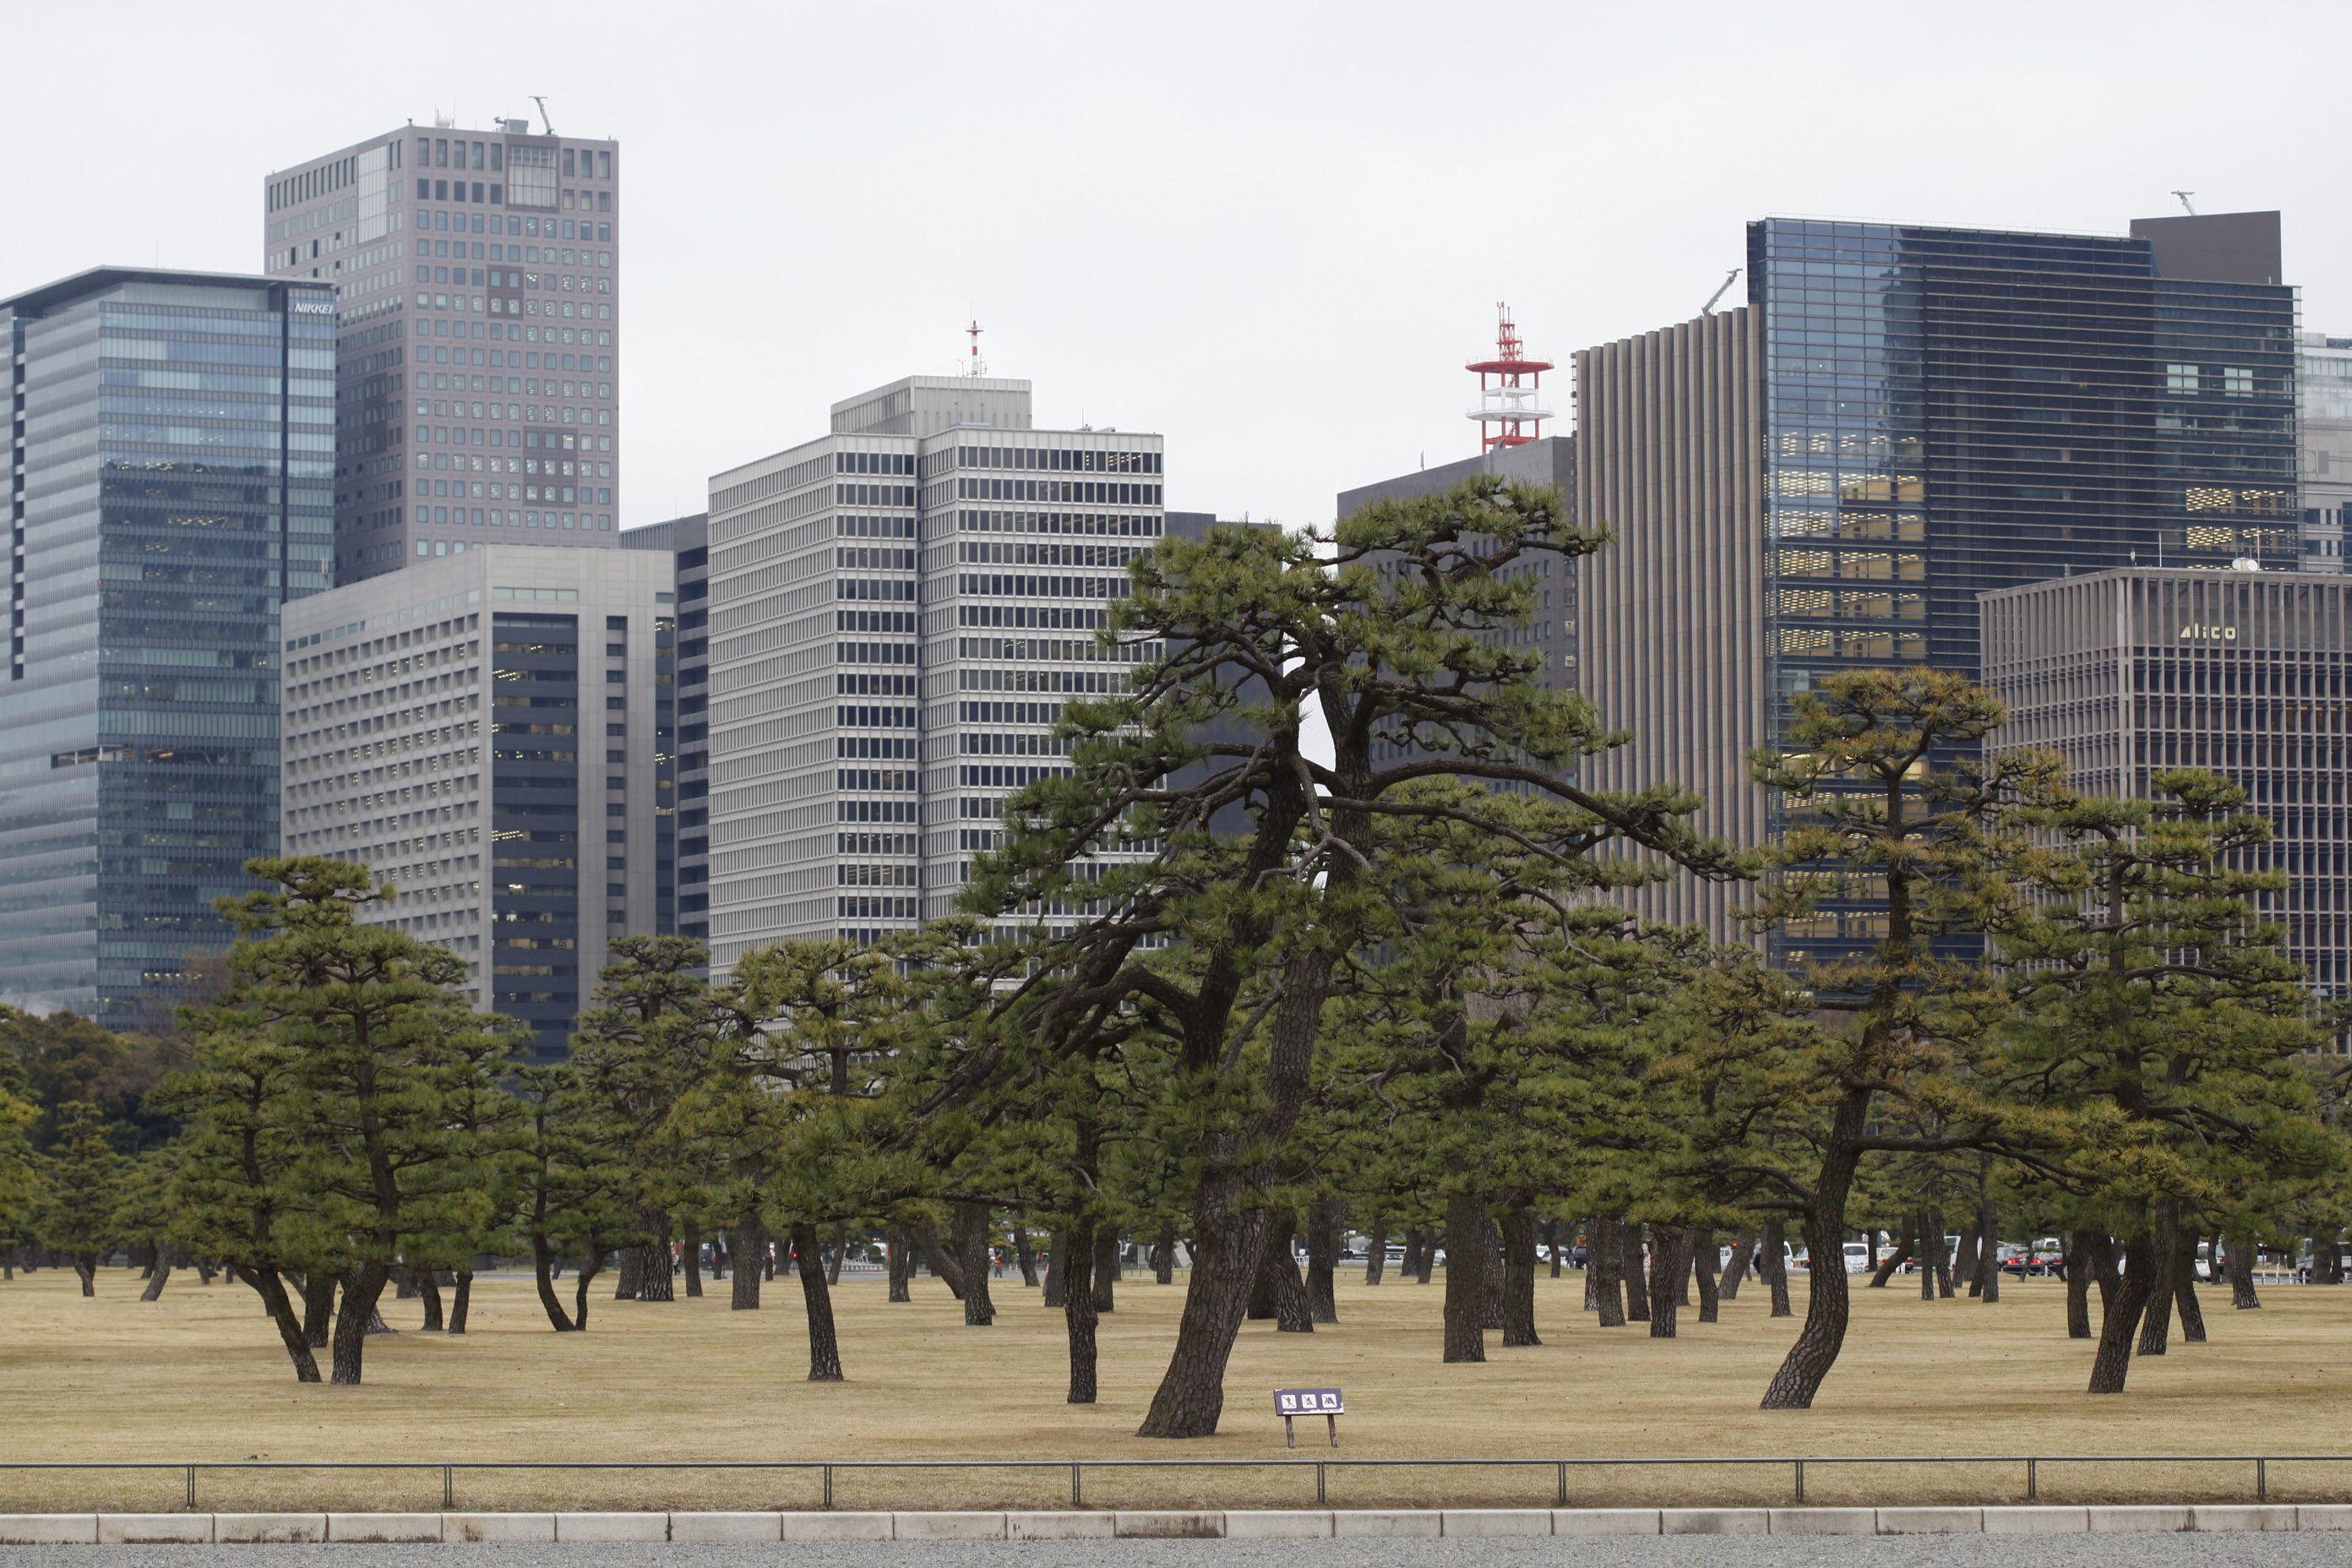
x=199, y=1376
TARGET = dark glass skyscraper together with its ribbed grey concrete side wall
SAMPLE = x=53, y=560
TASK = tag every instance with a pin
x=1895, y=424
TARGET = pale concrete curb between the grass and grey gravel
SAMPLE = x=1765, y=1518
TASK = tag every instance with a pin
x=1154, y=1525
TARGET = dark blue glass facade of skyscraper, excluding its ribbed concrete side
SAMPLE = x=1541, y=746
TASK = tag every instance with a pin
x=1960, y=410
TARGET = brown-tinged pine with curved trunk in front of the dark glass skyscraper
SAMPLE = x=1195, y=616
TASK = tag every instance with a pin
x=1885, y=800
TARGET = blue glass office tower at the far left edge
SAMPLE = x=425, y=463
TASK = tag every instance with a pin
x=173, y=488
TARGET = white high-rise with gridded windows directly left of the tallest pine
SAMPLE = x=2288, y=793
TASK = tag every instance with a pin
x=900, y=612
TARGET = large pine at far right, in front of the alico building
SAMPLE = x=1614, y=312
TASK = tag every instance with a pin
x=2156, y=1005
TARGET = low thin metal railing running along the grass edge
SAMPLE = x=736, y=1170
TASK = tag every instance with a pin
x=1078, y=1468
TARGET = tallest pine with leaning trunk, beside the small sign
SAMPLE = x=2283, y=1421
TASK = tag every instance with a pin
x=1264, y=857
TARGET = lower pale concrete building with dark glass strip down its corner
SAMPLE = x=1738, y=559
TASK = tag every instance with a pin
x=486, y=732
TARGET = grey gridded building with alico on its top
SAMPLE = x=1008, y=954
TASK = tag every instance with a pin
x=2245, y=674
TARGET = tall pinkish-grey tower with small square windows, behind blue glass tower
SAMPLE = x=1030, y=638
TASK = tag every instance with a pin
x=479, y=356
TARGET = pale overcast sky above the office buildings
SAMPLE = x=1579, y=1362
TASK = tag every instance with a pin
x=1269, y=232
